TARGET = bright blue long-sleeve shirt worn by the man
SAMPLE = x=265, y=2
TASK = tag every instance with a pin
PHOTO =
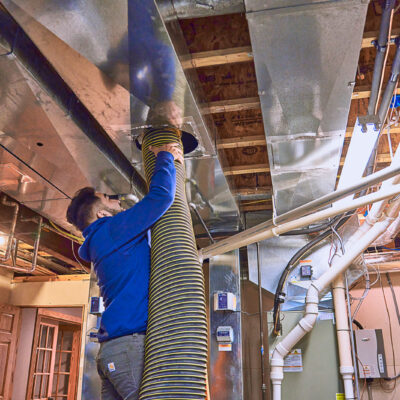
x=119, y=249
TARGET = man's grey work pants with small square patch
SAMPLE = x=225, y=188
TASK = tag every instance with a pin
x=120, y=366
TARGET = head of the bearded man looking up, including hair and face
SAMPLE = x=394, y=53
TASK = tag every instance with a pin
x=88, y=205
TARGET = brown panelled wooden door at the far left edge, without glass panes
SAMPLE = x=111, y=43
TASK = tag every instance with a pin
x=9, y=333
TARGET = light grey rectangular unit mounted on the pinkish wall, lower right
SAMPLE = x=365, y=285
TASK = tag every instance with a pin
x=370, y=353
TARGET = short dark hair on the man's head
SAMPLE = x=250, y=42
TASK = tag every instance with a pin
x=81, y=211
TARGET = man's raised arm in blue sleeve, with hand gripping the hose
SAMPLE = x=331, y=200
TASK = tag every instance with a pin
x=139, y=218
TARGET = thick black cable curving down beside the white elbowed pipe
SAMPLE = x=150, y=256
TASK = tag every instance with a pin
x=279, y=297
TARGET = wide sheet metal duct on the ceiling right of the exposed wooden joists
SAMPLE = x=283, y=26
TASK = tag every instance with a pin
x=306, y=55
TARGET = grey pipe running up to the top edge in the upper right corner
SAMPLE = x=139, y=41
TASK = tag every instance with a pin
x=381, y=46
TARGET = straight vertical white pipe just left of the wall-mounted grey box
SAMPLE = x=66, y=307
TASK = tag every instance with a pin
x=343, y=336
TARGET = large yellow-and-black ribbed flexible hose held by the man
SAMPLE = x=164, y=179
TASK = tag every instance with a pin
x=176, y=338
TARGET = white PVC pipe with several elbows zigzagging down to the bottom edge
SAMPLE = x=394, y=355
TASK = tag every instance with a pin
x=312, y=299
